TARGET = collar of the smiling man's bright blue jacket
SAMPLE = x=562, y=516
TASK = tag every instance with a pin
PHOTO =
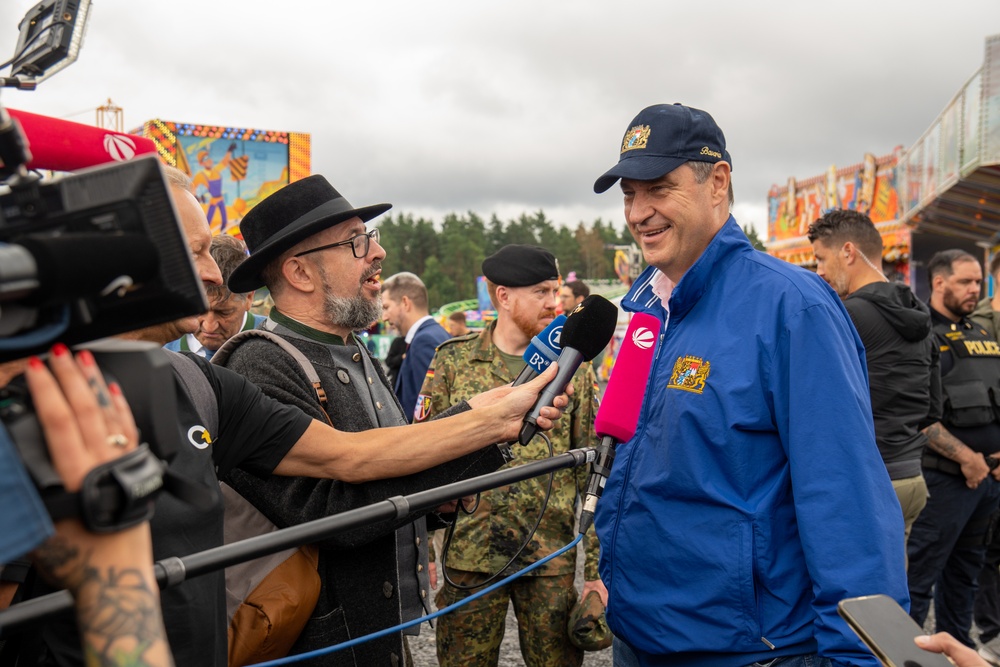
x=722, y=250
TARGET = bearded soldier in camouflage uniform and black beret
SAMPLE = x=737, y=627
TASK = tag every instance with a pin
x=523, y=283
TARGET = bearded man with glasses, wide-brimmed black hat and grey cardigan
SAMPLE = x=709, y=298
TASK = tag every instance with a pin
x=322, y=266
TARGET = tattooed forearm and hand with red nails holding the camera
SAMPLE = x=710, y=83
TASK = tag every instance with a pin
x=86, y=423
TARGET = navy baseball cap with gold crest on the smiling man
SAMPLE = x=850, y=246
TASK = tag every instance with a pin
x=663, y=137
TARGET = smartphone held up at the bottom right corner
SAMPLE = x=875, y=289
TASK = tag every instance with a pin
x=888, y=631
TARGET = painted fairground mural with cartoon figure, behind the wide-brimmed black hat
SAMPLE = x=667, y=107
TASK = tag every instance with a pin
x=231, y=168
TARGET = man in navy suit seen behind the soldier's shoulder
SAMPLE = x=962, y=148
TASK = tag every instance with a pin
x=404, y=306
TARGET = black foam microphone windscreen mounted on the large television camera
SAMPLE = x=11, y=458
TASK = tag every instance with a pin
x=82, y=264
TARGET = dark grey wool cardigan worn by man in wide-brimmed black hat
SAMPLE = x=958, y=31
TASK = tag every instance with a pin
x=359, y=569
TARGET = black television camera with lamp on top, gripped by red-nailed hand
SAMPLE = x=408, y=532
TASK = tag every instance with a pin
x=85, y=256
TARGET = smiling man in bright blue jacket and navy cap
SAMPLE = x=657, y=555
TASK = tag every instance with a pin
x=752, y=498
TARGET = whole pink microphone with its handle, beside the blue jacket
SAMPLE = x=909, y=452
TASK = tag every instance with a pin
x=618, y=415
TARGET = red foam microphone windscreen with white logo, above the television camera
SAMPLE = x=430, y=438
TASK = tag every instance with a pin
x=62, y=145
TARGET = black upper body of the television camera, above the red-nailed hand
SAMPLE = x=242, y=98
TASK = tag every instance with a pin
x=109, y=257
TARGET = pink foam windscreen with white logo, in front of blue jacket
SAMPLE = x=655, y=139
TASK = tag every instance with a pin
x=618, y=415
